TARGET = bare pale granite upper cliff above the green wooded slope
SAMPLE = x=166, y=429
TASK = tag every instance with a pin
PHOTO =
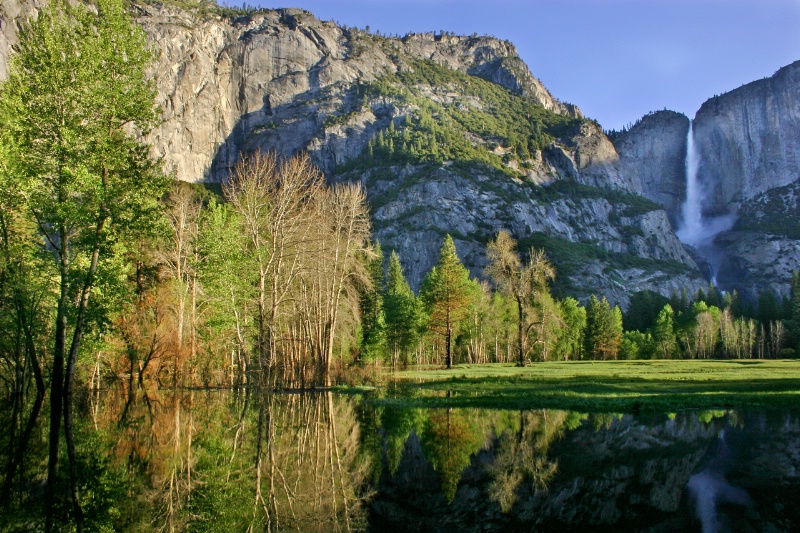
x=270, y=81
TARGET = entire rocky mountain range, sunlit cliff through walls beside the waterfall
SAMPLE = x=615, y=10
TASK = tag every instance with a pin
x=284, y=80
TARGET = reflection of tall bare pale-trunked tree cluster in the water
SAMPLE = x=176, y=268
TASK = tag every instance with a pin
x=308, y=472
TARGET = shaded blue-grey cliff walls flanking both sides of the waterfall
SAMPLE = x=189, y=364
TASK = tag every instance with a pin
x=748, y=142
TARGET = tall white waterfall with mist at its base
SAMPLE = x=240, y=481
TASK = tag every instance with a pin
x=696, y=230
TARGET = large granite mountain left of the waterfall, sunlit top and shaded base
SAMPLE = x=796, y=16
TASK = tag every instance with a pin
x=285, y=81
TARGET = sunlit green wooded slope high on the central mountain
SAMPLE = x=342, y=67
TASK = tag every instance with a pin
x=485, y=124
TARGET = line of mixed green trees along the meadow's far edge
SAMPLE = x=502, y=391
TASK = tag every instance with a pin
x=512, y=316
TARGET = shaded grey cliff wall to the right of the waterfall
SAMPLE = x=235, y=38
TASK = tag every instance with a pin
x=749, y=142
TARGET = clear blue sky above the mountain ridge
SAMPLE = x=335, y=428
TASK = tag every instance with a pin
x=615, y=59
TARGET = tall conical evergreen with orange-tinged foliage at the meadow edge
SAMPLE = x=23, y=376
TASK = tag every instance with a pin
x=447, y=295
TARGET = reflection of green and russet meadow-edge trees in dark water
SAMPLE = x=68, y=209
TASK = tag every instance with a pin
x=502, y=454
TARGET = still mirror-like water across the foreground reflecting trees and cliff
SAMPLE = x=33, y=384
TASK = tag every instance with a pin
x=236, y=461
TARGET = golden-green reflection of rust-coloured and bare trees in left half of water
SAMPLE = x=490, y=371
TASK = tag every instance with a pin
x=237, y=460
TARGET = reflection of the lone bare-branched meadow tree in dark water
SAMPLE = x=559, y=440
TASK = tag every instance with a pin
x=523, y=458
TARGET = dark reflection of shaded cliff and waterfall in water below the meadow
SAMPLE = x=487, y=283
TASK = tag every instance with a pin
x=615, y=473
